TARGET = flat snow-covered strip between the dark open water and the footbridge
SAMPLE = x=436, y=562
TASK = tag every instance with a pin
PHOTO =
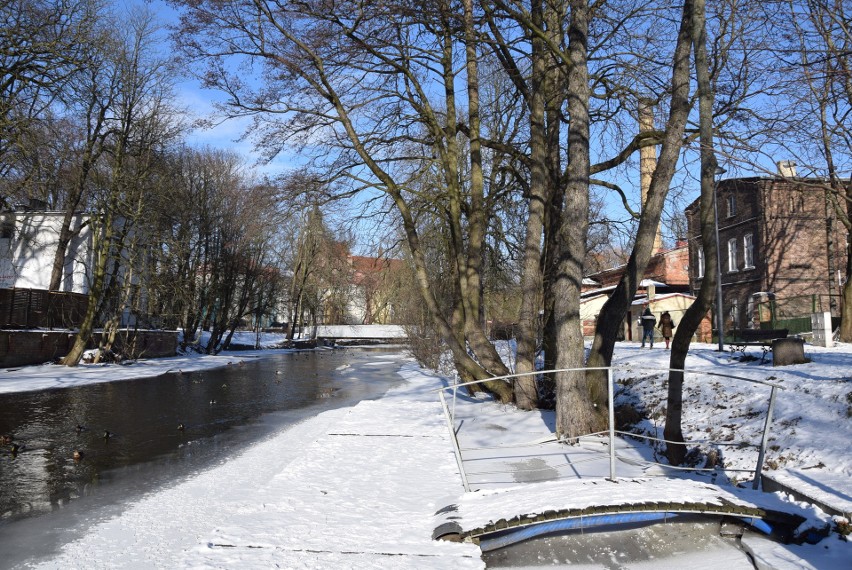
x=353, y=487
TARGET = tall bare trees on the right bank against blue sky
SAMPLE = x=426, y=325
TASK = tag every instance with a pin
x=489, y=127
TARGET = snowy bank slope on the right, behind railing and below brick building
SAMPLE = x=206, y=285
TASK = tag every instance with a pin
x=811, y=431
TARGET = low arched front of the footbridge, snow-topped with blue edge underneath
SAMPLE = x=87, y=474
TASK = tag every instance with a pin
x=500, y=518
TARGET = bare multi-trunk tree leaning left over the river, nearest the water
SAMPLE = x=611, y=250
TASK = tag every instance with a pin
x=401, y=119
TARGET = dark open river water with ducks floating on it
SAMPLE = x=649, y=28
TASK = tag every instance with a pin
x=137, y=435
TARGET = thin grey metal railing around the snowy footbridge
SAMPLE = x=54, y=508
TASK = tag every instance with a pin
x=611, y=432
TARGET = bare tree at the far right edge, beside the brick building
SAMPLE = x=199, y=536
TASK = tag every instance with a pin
x=816, y=84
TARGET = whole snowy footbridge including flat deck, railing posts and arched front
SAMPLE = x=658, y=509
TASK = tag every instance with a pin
x=521, y=481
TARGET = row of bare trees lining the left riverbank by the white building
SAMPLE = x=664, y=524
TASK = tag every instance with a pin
x=182, y=238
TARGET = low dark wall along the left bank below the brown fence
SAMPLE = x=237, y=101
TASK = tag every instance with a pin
x=24, y=348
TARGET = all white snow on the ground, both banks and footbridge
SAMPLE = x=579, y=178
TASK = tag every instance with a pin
x=361, y=487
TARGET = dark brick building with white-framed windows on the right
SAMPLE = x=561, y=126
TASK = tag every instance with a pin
x=779, y=243
